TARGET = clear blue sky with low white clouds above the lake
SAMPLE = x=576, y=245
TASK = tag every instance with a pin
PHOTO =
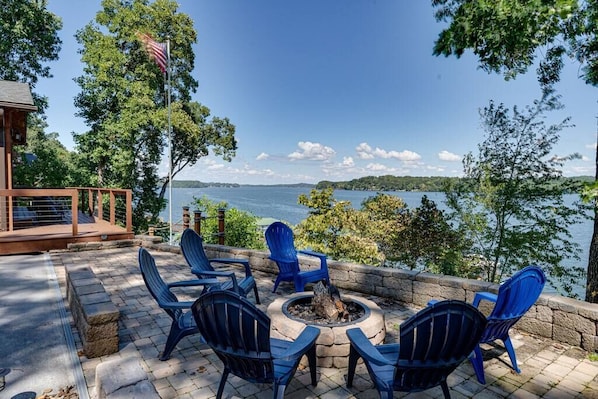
x=333, y=90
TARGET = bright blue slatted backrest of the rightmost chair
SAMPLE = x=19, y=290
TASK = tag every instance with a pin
x=515, y=297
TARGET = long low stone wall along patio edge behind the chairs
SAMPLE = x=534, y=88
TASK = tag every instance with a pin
x=553, y=316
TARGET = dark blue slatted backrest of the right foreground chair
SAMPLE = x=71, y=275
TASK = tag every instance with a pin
x=435, y=341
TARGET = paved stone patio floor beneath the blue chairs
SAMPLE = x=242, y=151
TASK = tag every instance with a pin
x=549, y=369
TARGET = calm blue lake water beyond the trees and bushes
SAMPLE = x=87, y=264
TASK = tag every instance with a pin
x=281, y=203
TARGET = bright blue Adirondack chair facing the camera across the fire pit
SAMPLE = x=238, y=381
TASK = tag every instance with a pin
x=280, y=241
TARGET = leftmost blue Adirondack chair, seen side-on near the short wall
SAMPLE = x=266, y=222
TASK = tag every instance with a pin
x=180, y=312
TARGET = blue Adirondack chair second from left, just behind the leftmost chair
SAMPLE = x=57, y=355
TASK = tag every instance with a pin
x=201, y=266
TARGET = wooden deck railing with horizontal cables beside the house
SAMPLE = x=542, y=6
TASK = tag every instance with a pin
x=27, y=207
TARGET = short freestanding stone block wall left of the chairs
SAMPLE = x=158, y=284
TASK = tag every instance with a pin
x=95, y=316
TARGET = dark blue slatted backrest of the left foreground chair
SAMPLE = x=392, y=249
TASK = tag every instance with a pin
x=238, y=332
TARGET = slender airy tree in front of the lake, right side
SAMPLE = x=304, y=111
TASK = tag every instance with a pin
x=511, y=202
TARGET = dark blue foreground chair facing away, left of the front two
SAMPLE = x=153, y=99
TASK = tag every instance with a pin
x=239, y=334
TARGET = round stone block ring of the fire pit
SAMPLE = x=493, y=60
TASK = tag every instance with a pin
x=332, y=346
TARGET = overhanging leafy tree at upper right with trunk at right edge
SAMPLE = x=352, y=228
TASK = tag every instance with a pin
x=506, y=36
